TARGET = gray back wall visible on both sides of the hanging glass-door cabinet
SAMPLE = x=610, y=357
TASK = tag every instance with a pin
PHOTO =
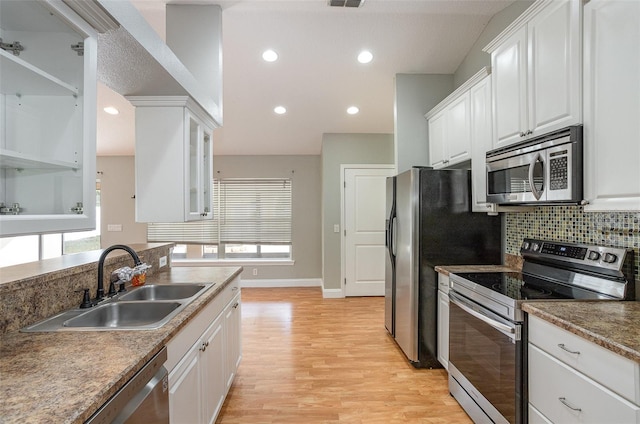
x=117, y=182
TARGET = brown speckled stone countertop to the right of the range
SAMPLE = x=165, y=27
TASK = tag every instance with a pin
x=612, y=325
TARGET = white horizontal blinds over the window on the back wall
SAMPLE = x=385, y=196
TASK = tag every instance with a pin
x=245, y=211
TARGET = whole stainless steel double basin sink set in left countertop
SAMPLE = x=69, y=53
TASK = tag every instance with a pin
x=143, y=308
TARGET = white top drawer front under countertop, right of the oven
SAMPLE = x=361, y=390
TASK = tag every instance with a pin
x=619, y=374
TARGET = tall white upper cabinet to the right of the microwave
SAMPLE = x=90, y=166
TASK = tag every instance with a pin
x=612, y=105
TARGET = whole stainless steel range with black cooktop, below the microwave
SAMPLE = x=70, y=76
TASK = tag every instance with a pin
x=487, y=335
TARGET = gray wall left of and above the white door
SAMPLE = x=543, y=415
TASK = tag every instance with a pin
x=338, y=149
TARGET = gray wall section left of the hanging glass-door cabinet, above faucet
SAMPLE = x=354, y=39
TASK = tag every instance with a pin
x=117, y=182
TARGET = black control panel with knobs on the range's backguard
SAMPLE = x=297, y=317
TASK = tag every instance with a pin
x=592, y=255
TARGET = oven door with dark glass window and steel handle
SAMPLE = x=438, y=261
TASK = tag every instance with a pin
x=485, y=359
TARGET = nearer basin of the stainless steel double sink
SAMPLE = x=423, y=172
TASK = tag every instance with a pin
x=126, y=315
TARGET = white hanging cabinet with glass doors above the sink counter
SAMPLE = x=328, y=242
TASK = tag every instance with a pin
x=173, y=160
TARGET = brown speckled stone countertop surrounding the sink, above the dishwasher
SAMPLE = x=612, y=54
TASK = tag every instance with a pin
x=64, y=377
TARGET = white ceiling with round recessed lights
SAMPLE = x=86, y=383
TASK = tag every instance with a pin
x=317, y=76
